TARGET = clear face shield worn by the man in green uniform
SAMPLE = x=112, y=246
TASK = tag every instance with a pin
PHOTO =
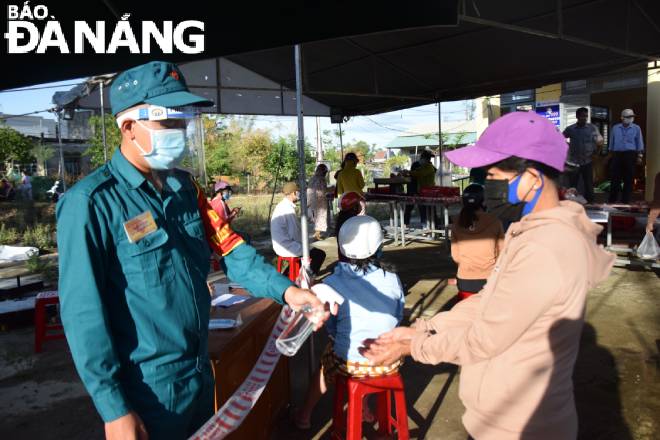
x=170, y=140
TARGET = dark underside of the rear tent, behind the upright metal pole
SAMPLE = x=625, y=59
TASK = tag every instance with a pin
x=376, y=73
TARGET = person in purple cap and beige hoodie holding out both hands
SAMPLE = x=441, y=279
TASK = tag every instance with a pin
x=518, y=340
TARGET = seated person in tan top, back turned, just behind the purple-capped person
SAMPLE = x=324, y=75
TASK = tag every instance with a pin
x=476, y=241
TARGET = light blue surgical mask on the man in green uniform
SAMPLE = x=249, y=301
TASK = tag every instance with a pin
x=168, y=147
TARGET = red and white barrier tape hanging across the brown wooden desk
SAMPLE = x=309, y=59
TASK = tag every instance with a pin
x=234, y=411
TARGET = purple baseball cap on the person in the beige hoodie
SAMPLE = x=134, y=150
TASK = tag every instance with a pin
x=521, y=134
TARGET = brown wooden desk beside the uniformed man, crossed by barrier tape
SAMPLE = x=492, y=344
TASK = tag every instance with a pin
x=234, y=352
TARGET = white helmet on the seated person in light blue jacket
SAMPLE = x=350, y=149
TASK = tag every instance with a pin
x=360, y=237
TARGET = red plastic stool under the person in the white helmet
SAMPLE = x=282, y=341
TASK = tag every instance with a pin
x=383, y=386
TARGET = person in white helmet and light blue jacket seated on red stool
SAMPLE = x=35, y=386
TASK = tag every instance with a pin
x=373, y=303
